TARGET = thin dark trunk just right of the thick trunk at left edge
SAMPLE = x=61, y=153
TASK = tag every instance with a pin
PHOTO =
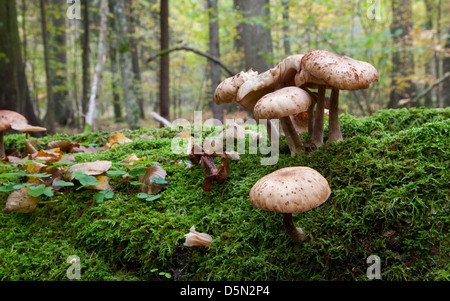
x=50, y=107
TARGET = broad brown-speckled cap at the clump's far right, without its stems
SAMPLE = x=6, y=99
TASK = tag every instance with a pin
x=341, y=72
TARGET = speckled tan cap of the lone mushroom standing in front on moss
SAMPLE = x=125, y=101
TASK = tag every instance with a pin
x=290, y=190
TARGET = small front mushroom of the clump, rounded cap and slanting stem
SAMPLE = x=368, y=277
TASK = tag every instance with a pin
x=281, y=104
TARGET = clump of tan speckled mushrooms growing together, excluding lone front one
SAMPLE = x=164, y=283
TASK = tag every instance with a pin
x=285, y=90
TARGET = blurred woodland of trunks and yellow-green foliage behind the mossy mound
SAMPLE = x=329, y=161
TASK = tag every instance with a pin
x=108, y=64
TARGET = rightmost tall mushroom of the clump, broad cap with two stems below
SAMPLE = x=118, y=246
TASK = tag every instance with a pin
x=328, y=70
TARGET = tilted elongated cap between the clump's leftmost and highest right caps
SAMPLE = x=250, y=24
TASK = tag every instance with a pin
x=281, y=75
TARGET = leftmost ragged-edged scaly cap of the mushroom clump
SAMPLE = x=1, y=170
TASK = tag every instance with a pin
x=226, y=91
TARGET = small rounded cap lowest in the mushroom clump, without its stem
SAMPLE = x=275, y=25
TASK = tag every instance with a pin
x=283, y=102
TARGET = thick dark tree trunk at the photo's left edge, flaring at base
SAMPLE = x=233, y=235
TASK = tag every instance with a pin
x=13, y=82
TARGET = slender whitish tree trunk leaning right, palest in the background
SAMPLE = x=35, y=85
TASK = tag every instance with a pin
x=92, y=110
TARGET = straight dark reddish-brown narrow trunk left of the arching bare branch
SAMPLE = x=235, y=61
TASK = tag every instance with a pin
x=164, y=81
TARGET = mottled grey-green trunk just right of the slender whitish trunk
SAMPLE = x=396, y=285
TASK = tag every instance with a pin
x=128, y=86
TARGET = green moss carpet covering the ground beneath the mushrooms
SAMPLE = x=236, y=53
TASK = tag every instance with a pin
x=389, y=179
